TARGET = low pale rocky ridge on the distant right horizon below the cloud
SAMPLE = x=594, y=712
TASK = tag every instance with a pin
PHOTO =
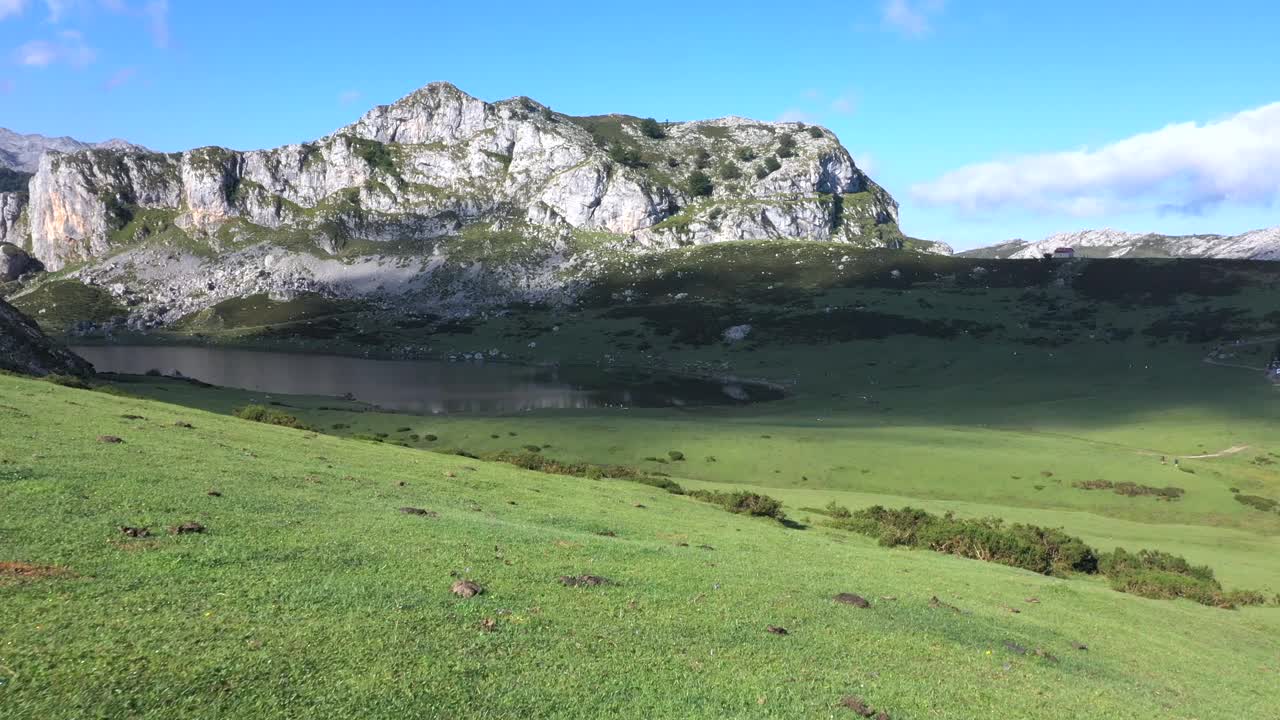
x=1256, y=245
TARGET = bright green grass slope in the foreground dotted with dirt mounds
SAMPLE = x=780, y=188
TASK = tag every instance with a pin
x=312, y=595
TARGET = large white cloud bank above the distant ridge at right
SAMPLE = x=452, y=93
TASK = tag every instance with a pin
x=1183, y=168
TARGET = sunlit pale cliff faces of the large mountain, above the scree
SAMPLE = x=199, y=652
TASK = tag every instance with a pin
x=440, y=161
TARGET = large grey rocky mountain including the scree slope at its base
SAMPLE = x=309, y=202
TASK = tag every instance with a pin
x=438, y=198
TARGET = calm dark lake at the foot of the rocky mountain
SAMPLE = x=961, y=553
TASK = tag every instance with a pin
x=427, y=388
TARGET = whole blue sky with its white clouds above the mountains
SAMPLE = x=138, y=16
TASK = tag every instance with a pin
x=986, y=120
